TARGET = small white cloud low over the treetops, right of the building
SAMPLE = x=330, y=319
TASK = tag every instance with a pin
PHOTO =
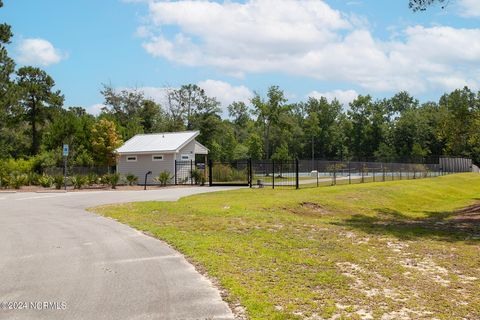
x=225, y=92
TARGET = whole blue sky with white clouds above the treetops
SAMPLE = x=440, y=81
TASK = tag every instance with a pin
x=331, y=48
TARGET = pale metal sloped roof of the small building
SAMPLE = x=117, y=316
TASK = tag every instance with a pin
x=158, y=142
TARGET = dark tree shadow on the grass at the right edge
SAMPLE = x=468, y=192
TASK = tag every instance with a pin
x=461, y=225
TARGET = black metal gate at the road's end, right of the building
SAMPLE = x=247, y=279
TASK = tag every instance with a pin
x=233, y=173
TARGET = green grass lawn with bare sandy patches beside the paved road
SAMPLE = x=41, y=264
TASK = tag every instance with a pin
x=392, y=250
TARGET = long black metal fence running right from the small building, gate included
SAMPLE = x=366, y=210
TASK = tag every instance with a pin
x=302, y=173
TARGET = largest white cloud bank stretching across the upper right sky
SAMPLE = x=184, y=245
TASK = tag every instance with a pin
x=309, y=38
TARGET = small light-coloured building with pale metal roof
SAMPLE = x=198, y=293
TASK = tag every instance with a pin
x=158, y=152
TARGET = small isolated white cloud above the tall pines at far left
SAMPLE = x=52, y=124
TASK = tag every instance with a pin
x=38, y=52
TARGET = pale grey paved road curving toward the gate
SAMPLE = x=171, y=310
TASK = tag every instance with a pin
x=90, y=267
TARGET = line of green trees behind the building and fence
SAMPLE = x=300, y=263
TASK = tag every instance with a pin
x=34, y=123
